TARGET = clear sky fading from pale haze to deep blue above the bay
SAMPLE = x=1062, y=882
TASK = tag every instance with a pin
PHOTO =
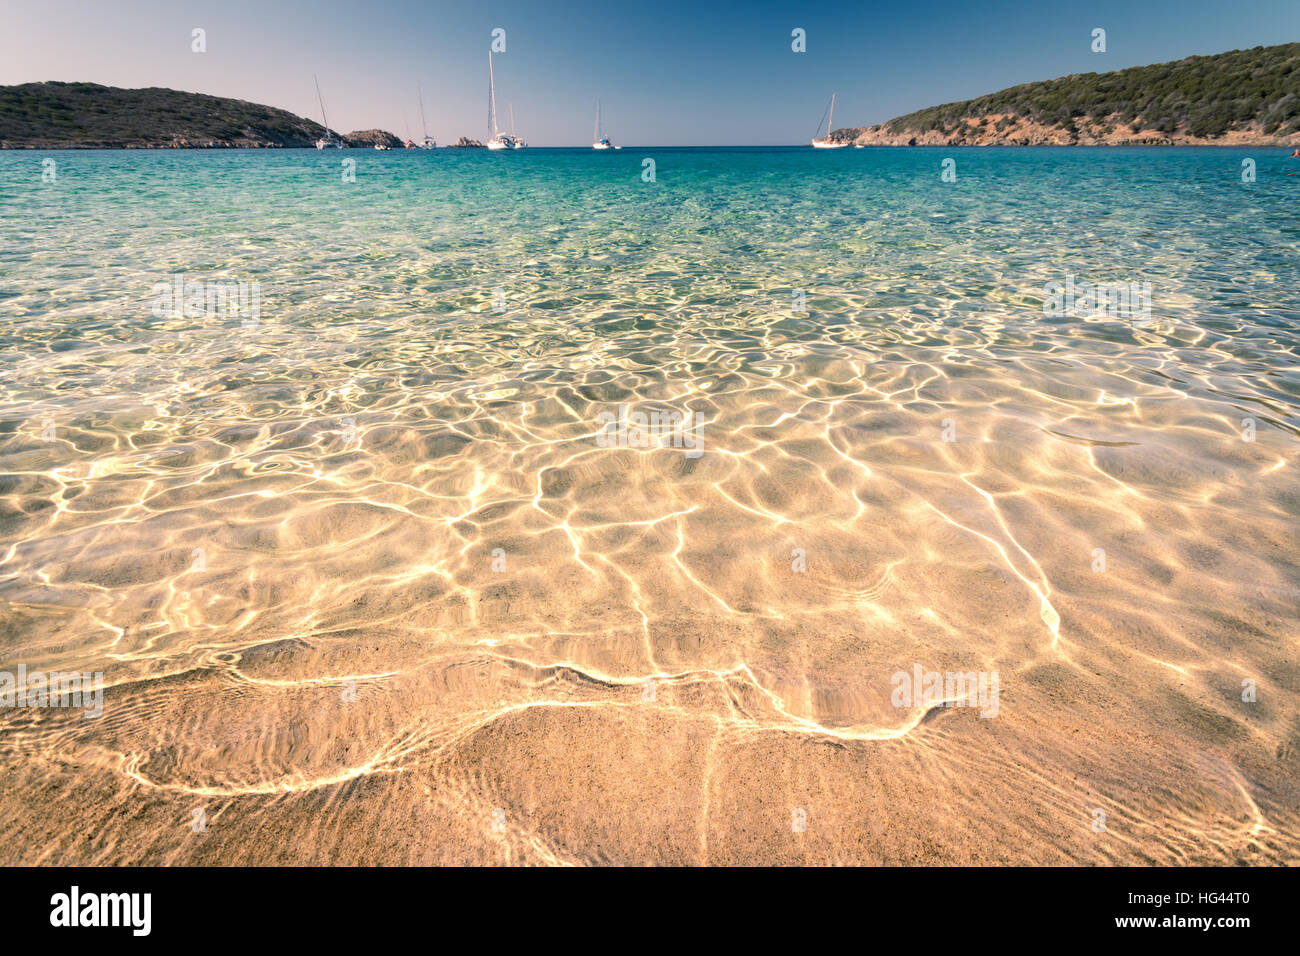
x=668, y=72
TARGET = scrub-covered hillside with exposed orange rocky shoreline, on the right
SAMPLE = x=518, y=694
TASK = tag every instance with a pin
x=1241, y=98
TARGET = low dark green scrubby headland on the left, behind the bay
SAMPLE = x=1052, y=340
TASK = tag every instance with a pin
x=53, y=116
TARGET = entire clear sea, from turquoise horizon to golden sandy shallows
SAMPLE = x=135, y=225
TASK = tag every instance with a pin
x=367, y=585
